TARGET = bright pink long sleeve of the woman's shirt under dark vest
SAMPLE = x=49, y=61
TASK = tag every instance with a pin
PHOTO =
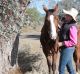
x=73, y=37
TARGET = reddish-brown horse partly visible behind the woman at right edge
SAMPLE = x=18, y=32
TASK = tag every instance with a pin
x=76, y=55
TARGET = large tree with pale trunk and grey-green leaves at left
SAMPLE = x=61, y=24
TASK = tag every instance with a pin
x=11, y=12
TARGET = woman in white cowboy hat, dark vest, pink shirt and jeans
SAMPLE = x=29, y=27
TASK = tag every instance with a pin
x=68, y=40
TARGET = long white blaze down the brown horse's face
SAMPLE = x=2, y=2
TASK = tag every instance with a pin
x=53, y=33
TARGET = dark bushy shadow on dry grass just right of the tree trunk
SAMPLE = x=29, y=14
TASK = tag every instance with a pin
x=26, y=61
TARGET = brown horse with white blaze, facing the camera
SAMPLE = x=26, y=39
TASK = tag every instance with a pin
x=49, y=37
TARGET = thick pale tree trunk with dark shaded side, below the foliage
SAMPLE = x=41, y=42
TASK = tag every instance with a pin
x=8, y=55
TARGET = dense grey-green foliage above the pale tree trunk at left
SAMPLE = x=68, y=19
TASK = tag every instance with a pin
x=12, y=16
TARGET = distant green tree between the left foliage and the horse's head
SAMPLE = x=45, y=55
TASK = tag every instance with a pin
x=35, y=17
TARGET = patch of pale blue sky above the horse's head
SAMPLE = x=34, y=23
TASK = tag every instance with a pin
x=39, y=4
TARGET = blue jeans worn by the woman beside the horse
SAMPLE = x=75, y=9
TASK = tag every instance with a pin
x=66, y=60
